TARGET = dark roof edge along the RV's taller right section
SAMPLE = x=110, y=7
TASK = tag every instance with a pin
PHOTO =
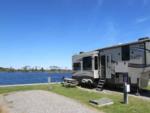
x=131, y=43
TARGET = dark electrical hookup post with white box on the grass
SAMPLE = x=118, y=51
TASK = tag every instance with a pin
x=126, y=91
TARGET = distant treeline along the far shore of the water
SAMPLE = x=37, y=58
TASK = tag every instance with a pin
x=27, y=69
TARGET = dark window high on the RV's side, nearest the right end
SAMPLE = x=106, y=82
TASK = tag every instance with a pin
x=125, y=53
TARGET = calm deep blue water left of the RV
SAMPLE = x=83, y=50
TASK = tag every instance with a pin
x=8, y=78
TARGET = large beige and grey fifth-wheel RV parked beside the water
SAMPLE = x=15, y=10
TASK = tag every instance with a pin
x=114, y=65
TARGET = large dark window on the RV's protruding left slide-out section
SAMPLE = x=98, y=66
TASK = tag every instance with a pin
x=87, y=63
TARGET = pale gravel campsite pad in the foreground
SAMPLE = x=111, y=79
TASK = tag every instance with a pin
x=43, y=102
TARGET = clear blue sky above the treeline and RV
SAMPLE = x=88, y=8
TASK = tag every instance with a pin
x=49, y=32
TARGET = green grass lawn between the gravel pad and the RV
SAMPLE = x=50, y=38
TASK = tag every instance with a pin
x=135, y=105
